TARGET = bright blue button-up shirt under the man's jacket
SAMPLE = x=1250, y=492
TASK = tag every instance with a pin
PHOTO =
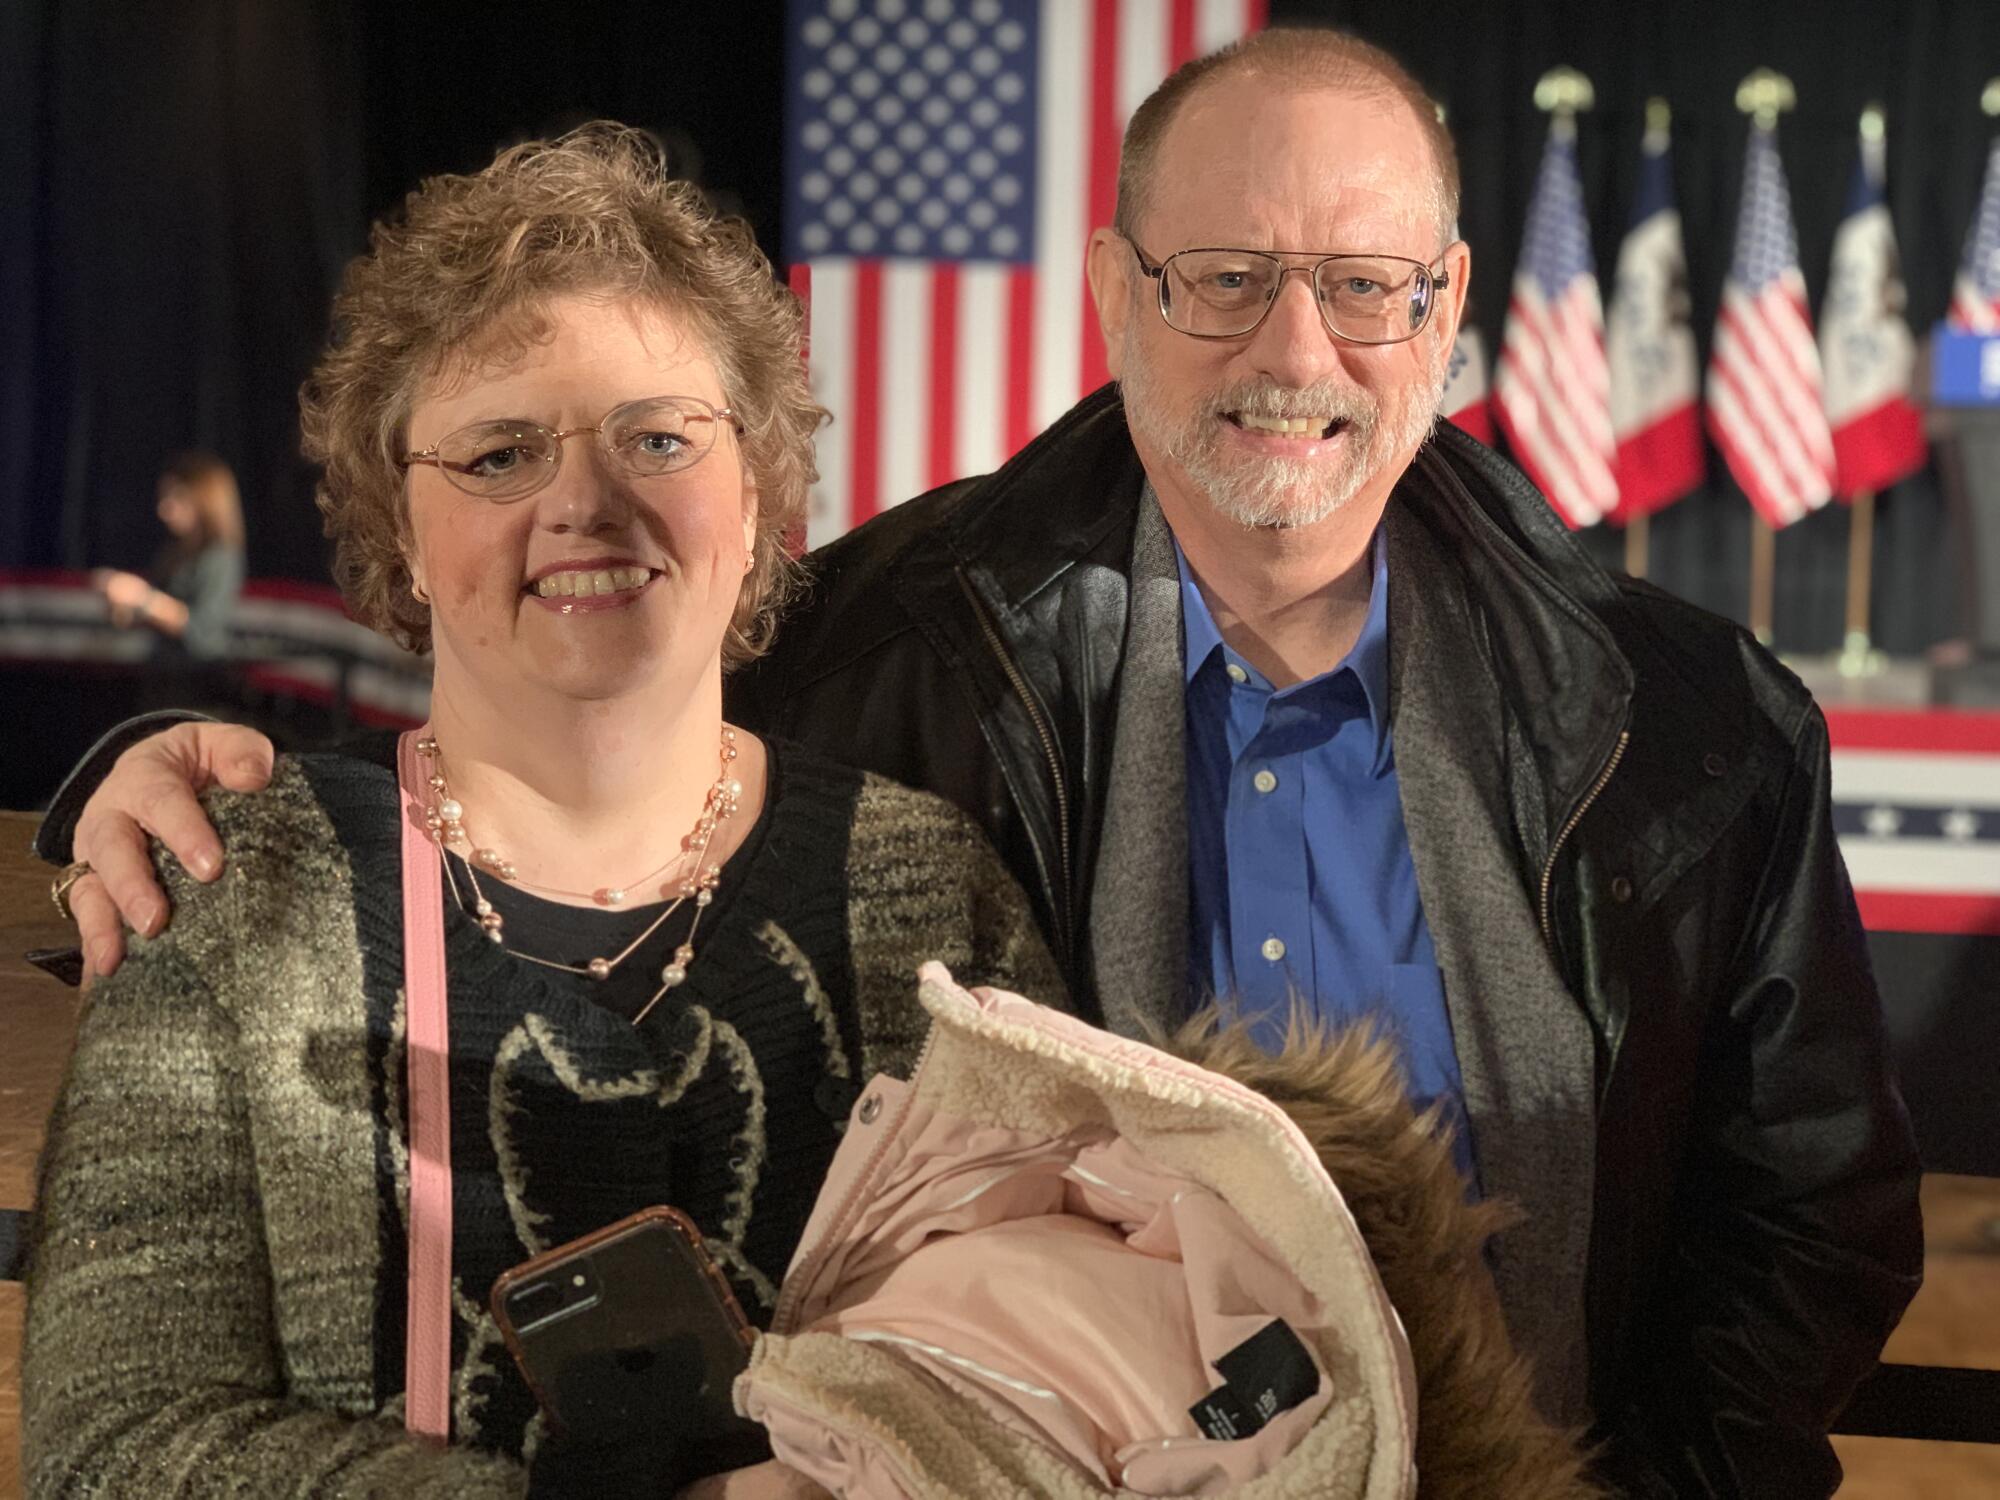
x=1299, y=863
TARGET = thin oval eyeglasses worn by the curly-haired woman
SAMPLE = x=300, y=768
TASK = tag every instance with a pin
x=509, y=461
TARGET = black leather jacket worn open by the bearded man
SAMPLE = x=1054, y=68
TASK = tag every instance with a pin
x=1755, y=1219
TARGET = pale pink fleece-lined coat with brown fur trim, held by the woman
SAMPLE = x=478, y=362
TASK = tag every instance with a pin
x=1033, y=1261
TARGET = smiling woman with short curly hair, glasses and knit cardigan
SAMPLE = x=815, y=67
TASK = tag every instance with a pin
x=565, y=431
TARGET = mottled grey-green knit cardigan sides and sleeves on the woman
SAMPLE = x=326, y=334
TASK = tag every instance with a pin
x=203, y=1293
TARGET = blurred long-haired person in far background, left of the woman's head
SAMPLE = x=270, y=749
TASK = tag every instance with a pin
x=197, y=579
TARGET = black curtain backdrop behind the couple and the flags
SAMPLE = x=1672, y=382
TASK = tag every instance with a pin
x=183, y=179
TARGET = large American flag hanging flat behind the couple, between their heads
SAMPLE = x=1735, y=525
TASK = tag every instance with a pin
x=945, y=167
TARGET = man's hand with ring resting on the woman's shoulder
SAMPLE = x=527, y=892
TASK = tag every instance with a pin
x=153, y=793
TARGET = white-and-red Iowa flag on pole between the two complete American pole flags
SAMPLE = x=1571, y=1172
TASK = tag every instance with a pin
x=1649, y=345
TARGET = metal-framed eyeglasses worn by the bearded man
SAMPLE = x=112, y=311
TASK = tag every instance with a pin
x=1229, y=293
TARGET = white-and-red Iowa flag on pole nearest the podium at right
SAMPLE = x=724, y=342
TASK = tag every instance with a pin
x=1865, y=345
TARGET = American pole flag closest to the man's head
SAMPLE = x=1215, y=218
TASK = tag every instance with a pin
x=1553, y=389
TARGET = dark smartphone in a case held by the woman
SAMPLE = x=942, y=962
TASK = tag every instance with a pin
x=633, y=1327
